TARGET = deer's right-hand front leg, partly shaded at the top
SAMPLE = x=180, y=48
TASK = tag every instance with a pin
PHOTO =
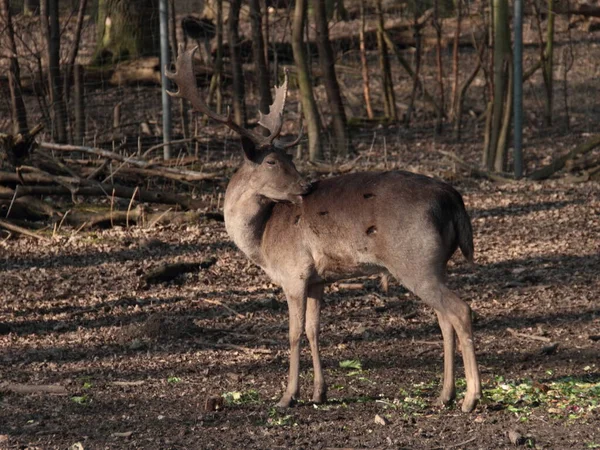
x=313, y=320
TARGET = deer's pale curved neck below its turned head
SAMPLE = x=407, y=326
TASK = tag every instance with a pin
x=246, y=214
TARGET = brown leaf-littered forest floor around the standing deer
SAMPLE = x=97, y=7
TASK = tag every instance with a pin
x=136, y=365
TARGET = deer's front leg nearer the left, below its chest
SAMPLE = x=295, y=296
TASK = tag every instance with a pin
x=296, y=299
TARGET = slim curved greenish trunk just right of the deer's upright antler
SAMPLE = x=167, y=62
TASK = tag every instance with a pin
x=309, y=106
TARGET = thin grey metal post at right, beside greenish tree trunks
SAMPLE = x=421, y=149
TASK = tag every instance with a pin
x=518, y=88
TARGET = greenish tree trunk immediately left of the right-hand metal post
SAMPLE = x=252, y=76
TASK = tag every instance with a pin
x=495, y=151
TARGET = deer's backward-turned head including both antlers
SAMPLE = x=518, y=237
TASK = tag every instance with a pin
x=268, y=170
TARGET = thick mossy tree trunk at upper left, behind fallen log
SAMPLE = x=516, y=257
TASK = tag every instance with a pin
x=127, y=29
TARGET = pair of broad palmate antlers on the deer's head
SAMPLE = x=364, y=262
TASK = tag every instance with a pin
x=185, y=80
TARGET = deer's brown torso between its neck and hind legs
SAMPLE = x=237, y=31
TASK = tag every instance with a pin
x=360, y=223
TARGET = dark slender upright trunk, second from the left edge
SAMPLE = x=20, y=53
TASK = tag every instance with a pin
x=51, y=31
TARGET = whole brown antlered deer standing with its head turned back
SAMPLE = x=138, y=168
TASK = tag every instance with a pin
x=307, y=235
